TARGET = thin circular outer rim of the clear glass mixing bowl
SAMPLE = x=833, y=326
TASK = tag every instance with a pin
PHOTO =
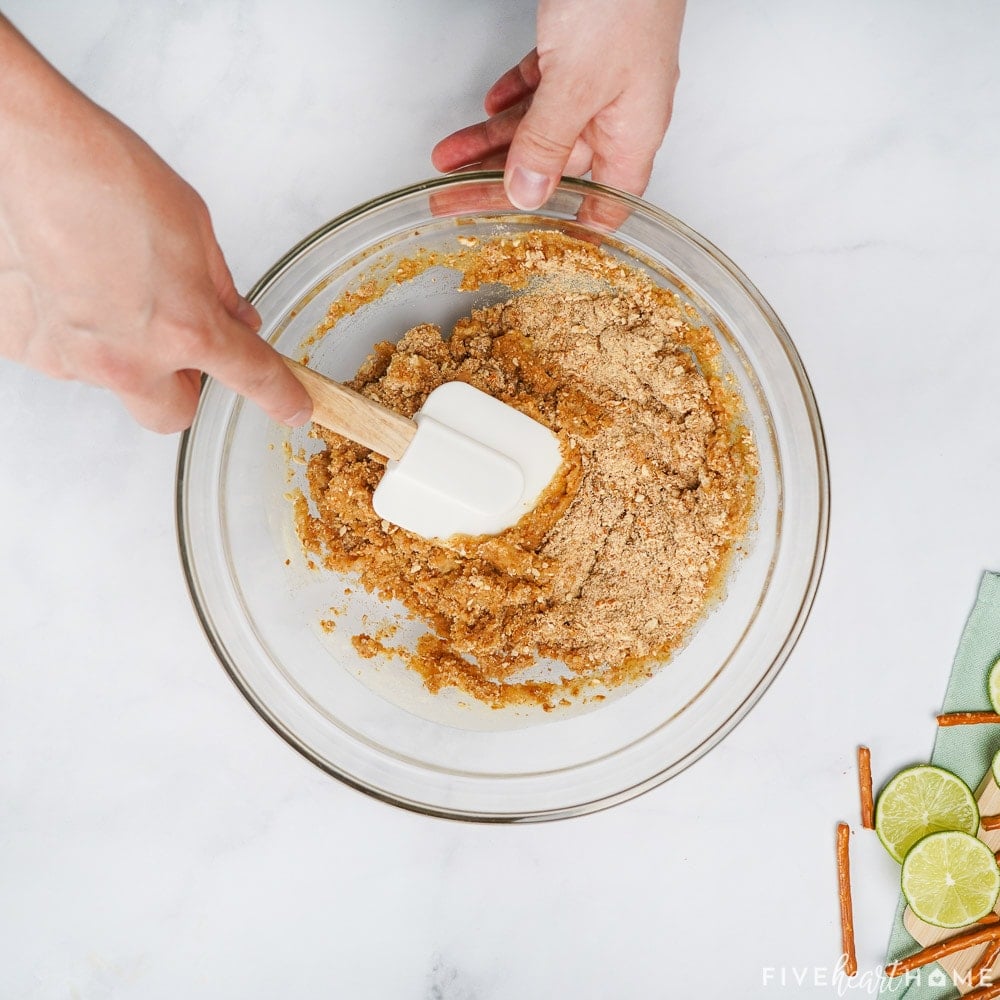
x=581, y=186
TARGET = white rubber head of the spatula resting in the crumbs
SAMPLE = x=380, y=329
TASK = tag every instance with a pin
x=474, y=467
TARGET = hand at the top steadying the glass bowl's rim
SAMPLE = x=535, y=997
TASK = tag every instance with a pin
x=596, y=94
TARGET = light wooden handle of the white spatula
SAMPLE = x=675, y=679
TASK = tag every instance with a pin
x=347, y=412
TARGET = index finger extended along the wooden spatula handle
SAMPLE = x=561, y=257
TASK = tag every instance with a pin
x=251, y=367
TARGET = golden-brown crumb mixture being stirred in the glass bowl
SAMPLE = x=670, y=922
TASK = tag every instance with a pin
x=625, y=550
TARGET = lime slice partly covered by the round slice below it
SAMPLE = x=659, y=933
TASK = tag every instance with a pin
x=922, y=800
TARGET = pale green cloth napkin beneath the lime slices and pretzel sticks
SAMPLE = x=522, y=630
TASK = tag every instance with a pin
x=967, y=751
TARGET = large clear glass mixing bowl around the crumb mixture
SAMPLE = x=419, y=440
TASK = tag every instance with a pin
x=371, y=723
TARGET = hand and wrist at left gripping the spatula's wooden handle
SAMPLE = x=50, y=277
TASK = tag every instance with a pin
x=110, y=272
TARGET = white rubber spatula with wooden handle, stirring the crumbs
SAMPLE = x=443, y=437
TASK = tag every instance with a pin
x=465, y=464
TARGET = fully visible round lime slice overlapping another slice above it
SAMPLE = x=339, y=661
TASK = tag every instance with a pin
x=950, y=879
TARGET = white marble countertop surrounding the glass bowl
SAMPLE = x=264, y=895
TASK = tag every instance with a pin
x=157, y=840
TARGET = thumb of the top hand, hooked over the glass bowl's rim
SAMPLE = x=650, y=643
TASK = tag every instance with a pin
x=542, y=145
